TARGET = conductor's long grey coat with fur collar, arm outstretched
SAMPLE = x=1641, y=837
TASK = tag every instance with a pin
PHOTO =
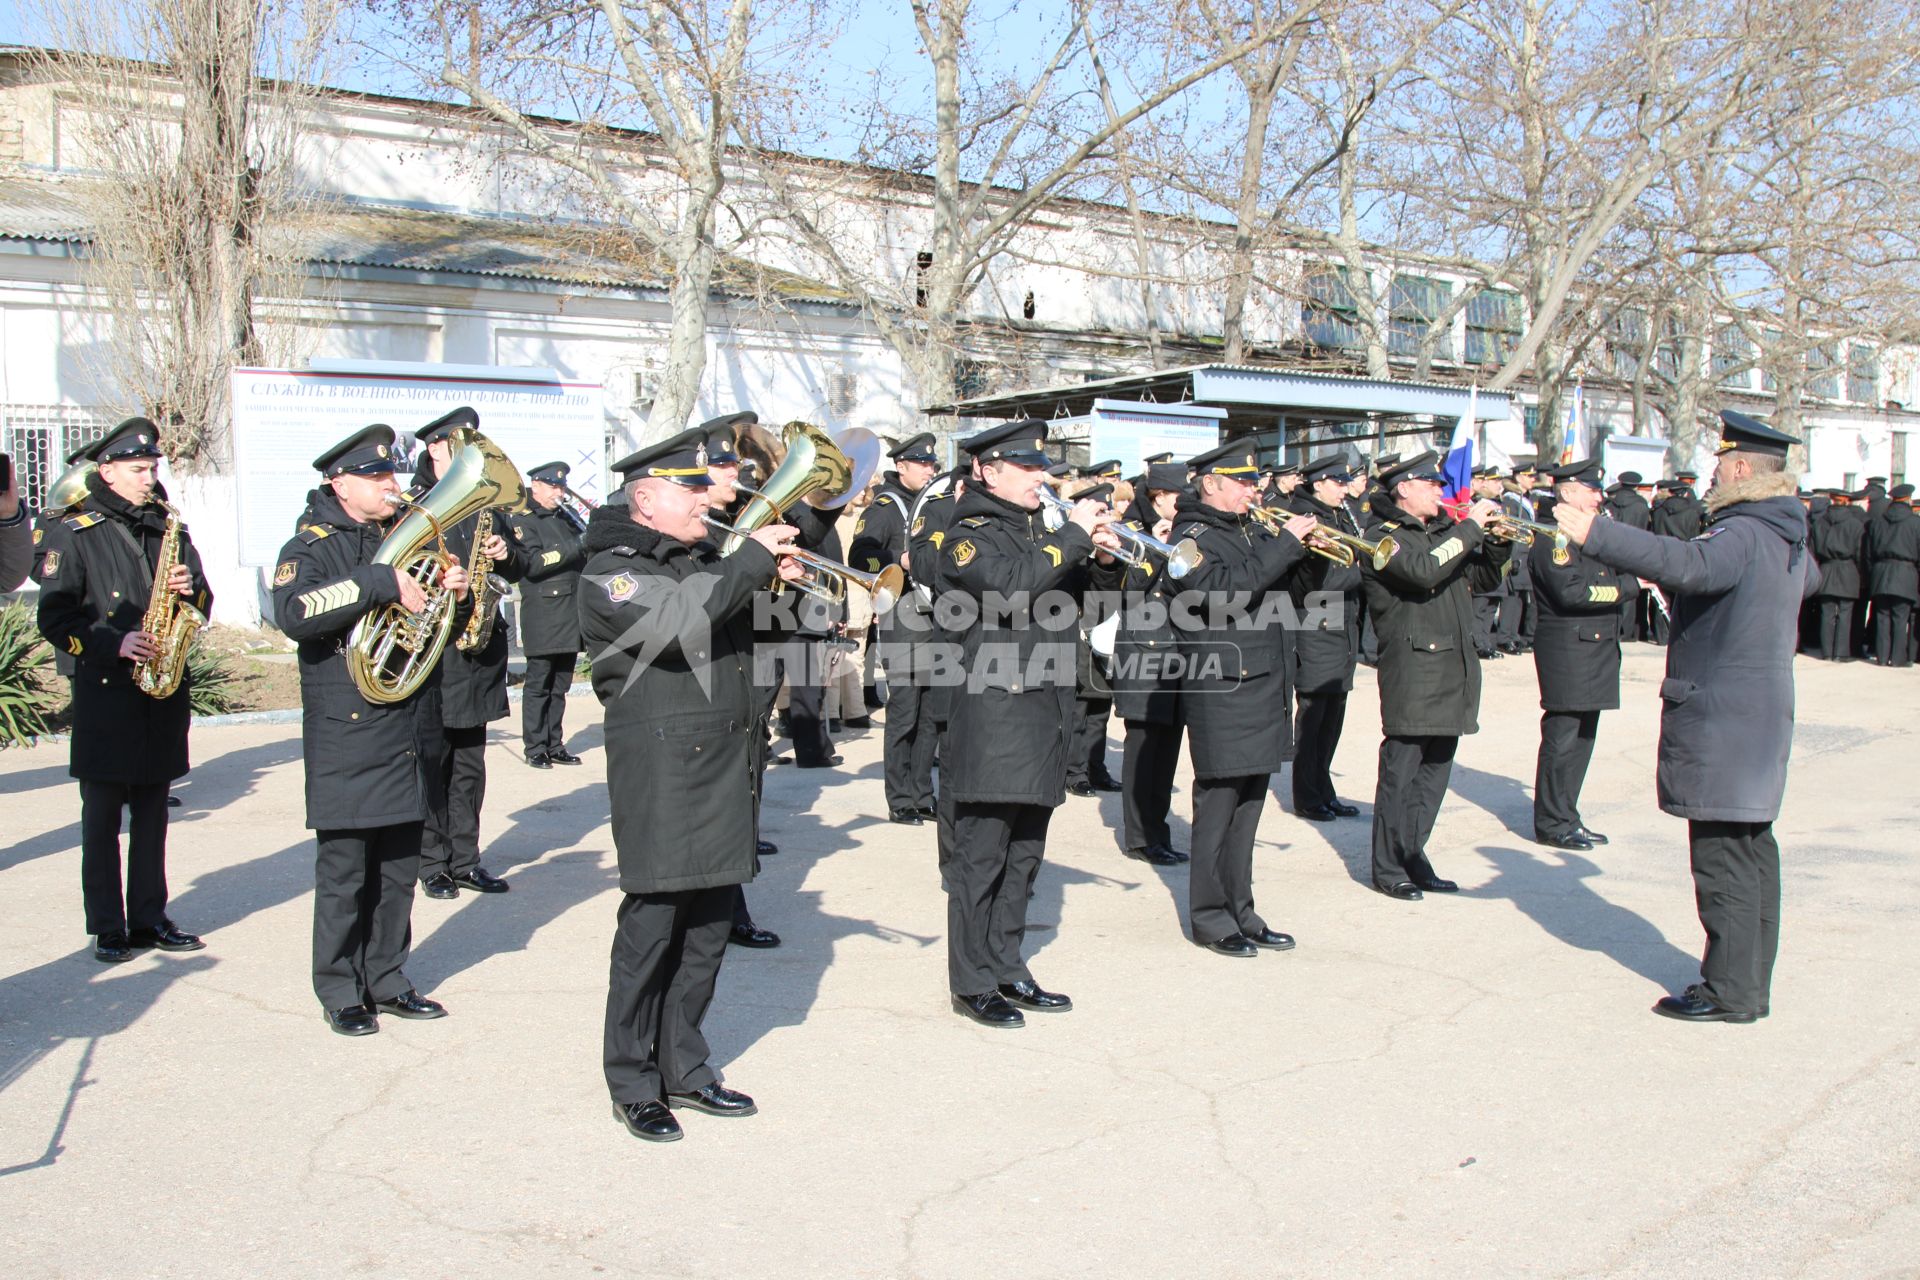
x=1727, y=717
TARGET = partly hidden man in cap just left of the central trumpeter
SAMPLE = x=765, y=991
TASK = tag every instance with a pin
x=903, y=636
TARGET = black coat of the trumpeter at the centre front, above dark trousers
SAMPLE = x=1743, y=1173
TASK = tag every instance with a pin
x=1011, y=719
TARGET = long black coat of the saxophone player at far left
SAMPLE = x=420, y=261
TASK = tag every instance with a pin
x=97, y=577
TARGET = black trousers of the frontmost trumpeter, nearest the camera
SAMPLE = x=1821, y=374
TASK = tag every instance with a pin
x=667, y=953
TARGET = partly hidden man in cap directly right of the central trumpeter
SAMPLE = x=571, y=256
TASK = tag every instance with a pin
x=1147, y=676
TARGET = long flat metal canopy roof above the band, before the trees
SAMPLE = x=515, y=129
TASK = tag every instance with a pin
x=1282, y=404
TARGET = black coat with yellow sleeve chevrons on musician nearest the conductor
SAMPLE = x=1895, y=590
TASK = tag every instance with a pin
x=1577, y=638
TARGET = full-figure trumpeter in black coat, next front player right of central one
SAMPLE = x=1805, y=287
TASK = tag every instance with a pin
x=1236, y=692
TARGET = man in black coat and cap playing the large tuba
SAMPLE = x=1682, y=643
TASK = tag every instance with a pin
x=370, y=765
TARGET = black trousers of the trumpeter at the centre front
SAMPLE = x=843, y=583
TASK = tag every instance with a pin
x=990, y=872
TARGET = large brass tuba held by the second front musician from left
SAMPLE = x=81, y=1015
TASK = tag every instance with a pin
x=391, y=652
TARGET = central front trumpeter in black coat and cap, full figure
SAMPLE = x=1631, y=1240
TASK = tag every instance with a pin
x=1009, y=726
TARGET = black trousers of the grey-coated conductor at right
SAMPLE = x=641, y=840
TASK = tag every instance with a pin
x=1737, y=888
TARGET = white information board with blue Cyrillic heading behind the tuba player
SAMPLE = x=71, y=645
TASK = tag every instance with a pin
x=283, y=419
